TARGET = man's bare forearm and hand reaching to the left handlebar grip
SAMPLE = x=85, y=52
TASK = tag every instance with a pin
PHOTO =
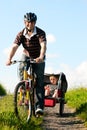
x=11, y=53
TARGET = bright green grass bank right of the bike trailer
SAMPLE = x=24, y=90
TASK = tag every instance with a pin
x=77, y=98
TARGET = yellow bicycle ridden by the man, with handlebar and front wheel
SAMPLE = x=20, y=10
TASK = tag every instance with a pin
x=24, y=93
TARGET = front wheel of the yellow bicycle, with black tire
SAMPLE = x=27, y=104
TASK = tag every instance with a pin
x=22, y=102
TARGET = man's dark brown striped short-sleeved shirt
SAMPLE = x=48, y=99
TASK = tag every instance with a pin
x=32, y=45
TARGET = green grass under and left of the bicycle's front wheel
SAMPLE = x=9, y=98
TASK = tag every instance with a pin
x=8, y=120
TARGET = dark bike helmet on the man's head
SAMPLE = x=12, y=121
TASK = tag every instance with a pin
x=30, y=17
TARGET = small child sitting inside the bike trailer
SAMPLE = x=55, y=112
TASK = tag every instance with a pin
x=52, y=91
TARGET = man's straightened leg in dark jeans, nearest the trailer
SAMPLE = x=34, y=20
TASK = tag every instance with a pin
x=39, y=70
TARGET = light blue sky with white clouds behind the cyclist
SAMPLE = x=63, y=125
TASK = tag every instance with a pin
x=65, y=24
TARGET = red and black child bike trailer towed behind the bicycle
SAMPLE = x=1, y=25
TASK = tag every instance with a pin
x=62, y=88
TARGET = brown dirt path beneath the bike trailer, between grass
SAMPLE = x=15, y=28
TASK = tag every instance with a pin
x=52, y=121
